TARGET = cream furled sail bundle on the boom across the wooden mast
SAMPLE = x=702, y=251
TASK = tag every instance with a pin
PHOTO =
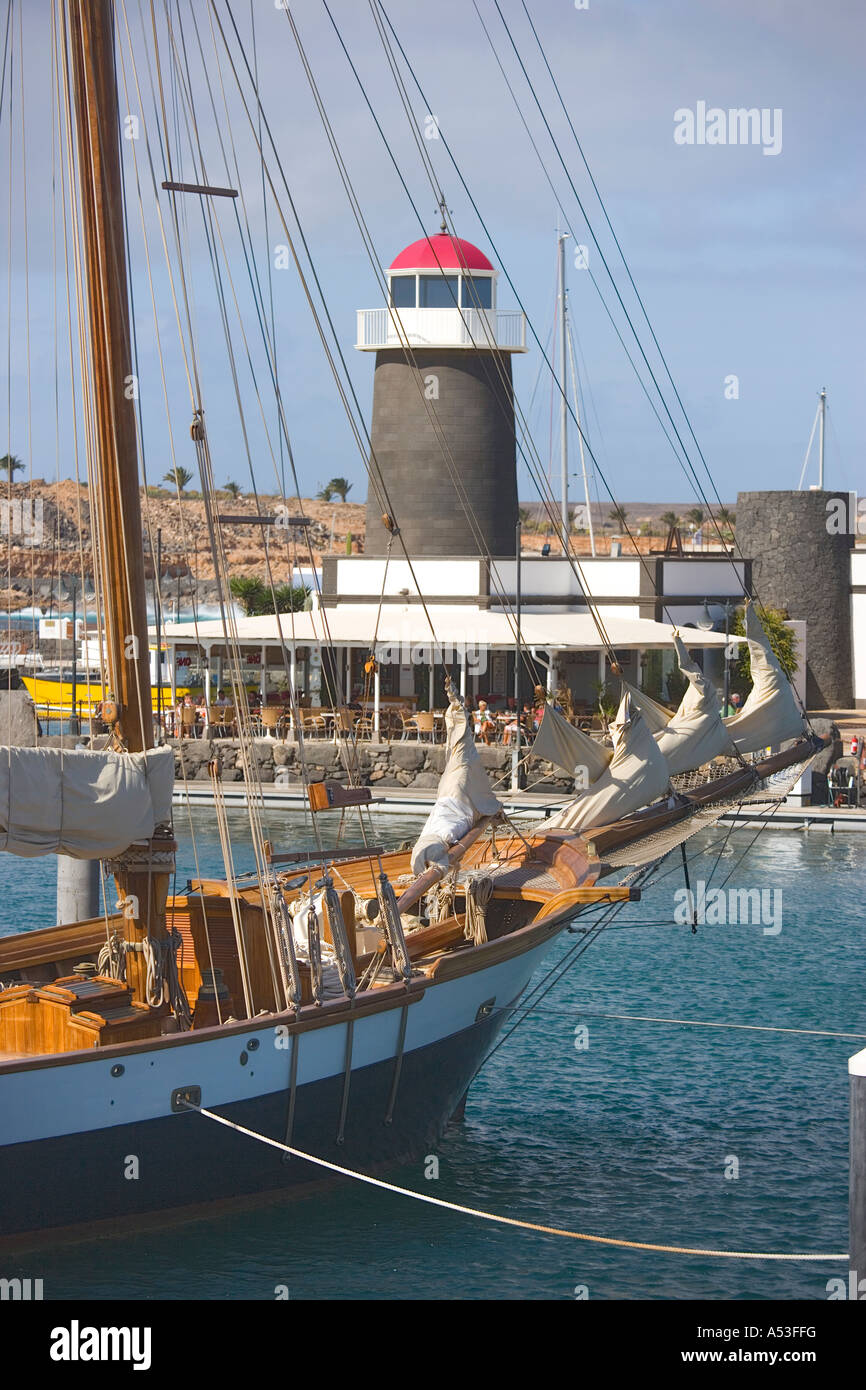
x=81, y=804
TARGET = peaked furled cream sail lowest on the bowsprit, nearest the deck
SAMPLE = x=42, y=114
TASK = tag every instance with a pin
x=636, y=776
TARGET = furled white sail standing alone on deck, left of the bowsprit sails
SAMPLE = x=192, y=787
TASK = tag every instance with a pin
x=464, y=797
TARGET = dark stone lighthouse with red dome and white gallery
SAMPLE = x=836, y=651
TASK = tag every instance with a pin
x=444, y=415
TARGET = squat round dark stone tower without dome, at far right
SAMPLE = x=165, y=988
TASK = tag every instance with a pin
x=800, y=565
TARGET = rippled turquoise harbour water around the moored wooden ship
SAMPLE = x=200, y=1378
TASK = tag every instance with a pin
x=629, y=1138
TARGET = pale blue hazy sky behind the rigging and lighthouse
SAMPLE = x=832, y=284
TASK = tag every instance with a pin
x=750, y=265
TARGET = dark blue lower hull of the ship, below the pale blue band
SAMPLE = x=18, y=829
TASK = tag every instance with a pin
x=188, y=1161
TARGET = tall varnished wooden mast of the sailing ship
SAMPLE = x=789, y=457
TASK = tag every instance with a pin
x=142, y=879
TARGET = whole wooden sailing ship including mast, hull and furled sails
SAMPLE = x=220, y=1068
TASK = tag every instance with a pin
x=338, y=1004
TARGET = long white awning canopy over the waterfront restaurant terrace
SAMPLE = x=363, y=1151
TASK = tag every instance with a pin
x=407, y=626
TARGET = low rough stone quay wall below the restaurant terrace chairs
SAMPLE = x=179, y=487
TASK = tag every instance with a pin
x=382, y=765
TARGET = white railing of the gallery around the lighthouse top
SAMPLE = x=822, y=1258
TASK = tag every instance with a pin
x=441, y=329
